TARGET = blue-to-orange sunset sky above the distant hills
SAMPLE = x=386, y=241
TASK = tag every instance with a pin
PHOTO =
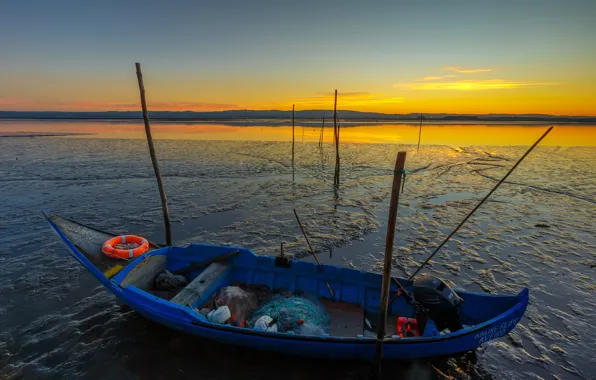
x=480, y=56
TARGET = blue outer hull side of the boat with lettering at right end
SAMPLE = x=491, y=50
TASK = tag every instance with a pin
x=186, y=320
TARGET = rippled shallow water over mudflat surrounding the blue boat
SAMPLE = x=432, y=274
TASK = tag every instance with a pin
x=538, y=231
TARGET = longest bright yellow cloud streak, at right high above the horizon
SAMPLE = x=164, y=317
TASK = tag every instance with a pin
x=469, y=85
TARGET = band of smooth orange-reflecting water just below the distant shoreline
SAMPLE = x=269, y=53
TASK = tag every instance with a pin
x=432, y=134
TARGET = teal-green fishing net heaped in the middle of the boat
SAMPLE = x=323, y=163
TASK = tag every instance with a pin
x=293, y=313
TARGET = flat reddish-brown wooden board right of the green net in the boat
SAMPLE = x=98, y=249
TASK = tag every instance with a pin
x=346, y=319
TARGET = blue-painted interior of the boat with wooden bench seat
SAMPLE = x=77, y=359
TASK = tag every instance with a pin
x=354, y=302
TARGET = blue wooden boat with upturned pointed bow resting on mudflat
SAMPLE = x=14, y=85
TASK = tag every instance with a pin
x=484, y=317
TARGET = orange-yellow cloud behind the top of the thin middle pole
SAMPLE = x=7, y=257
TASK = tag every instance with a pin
x=345, y=99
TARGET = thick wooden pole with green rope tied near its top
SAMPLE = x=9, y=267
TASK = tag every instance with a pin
x=395, y=190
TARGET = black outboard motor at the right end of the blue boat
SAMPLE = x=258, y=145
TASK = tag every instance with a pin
x=441, y=302
